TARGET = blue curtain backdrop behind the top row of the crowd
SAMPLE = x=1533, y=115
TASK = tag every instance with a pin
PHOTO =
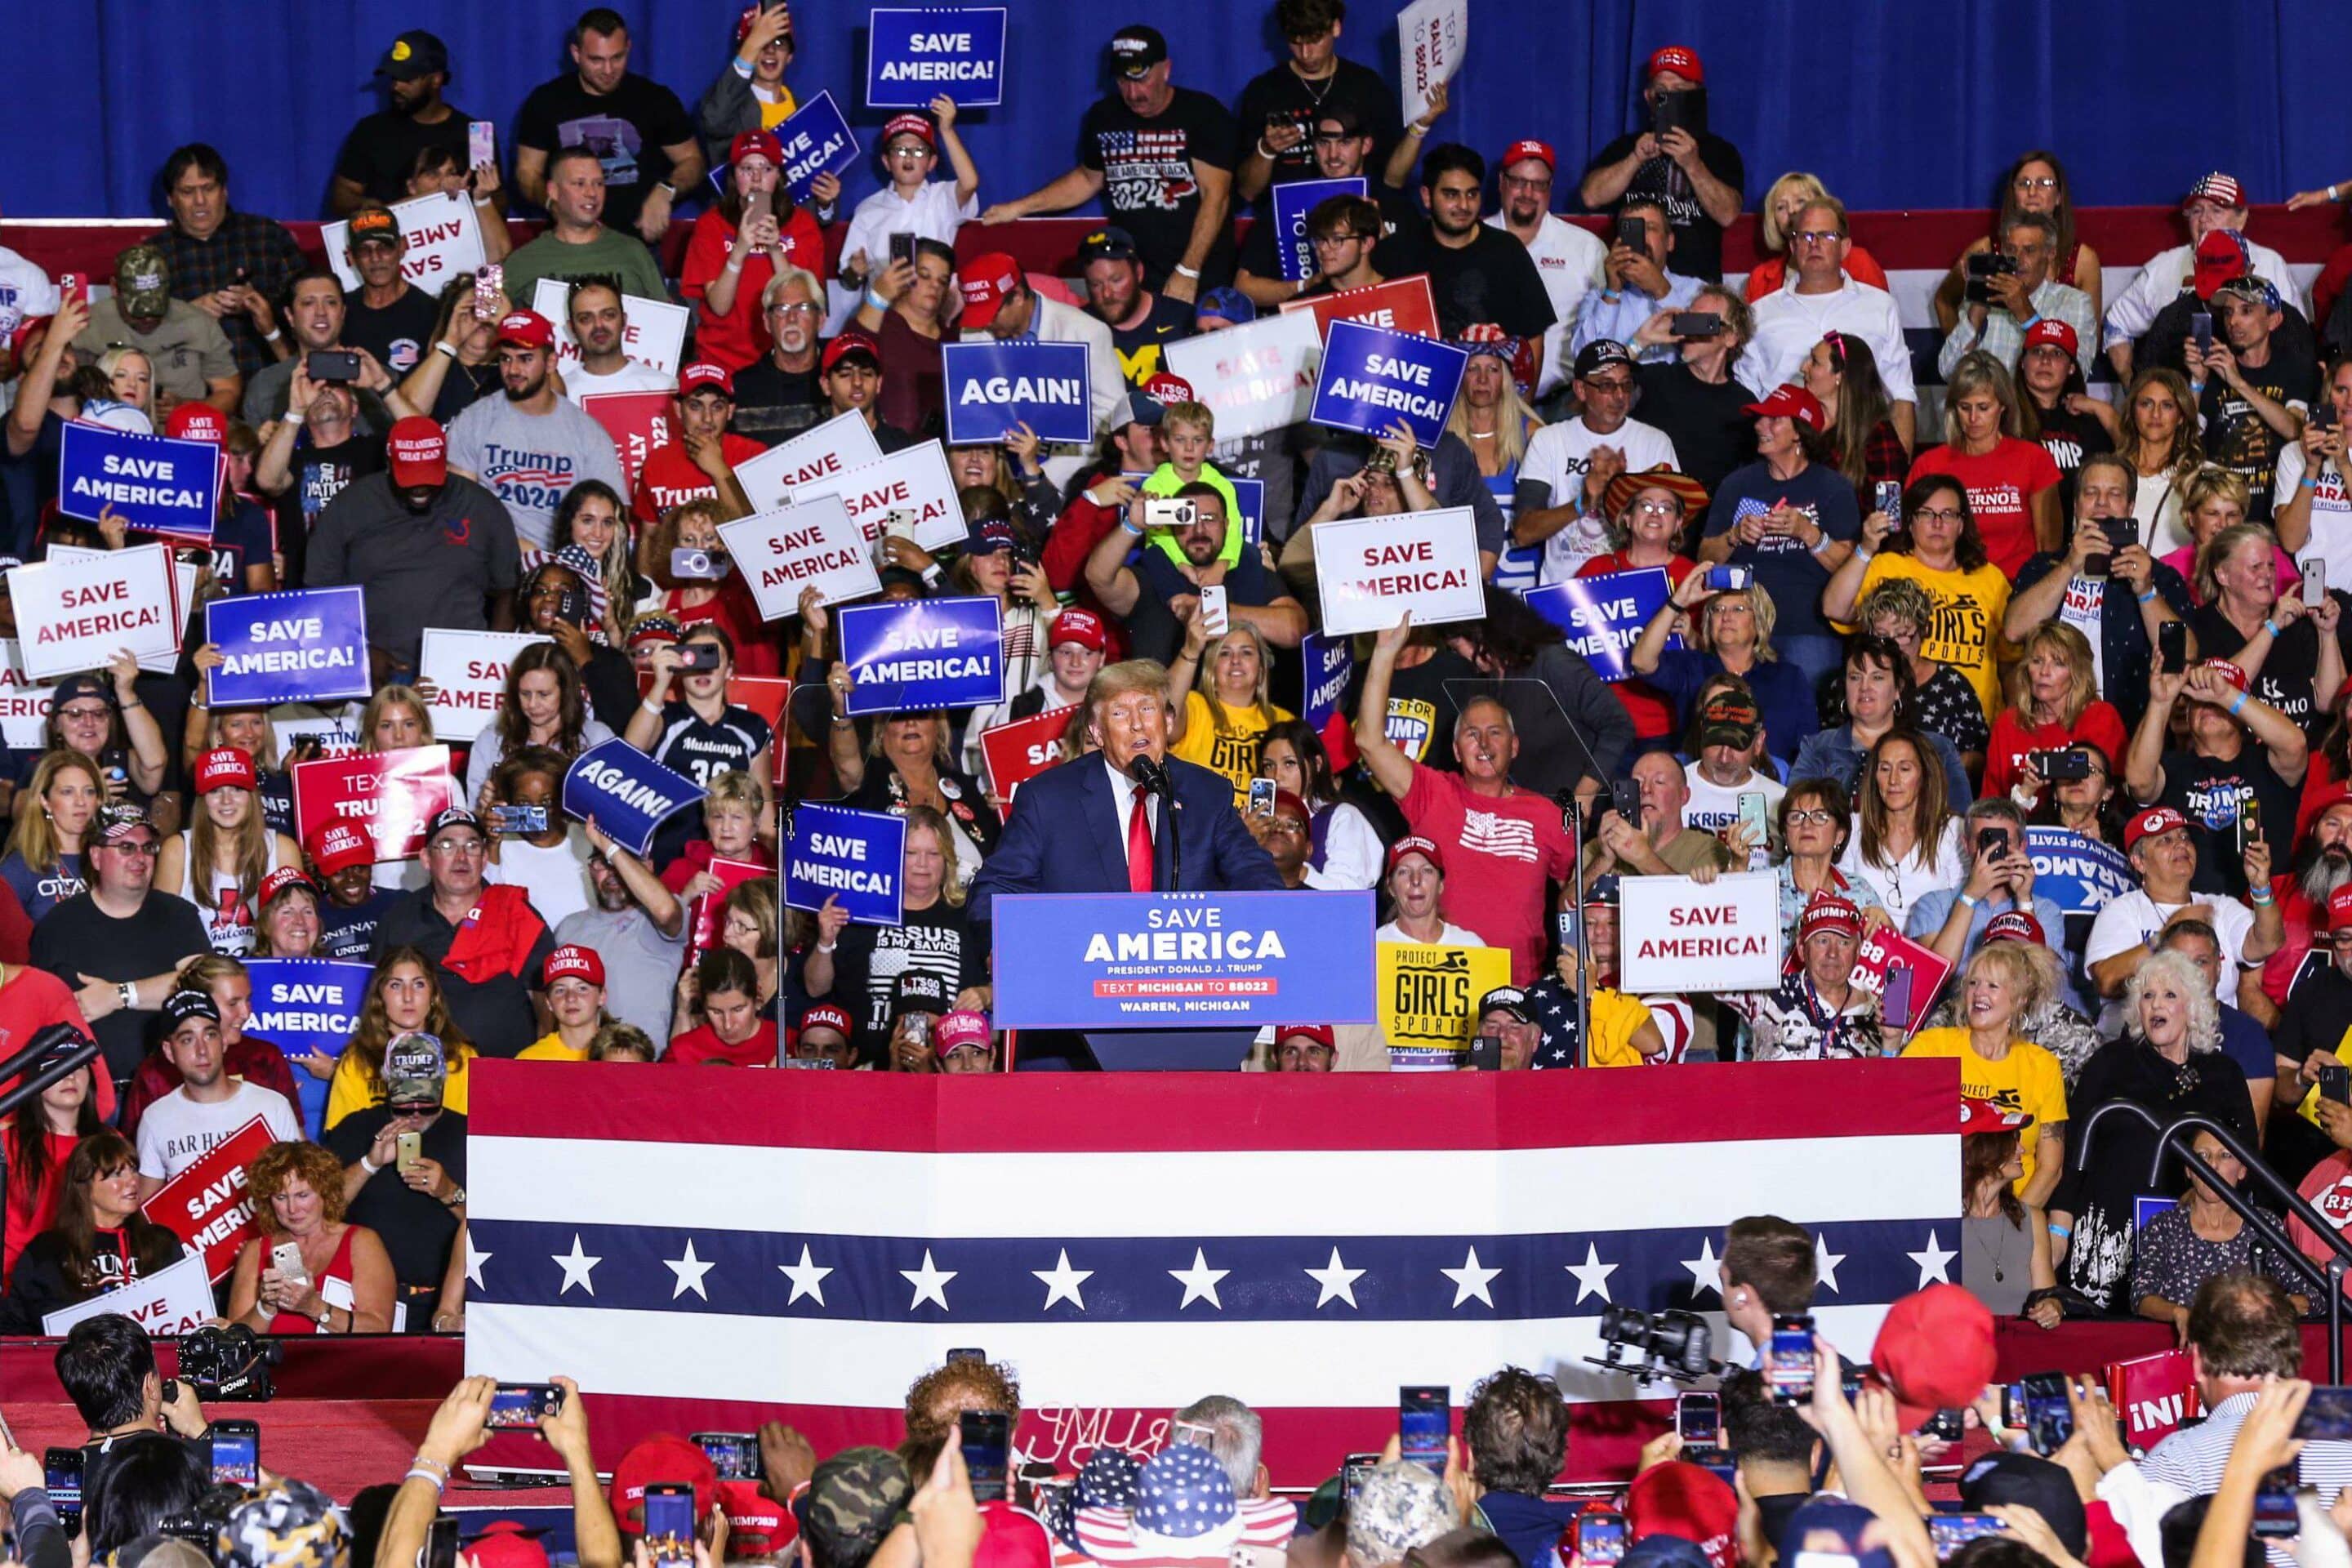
x=1892, y=105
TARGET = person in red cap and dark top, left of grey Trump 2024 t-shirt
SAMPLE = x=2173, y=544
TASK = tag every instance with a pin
x=427, y=547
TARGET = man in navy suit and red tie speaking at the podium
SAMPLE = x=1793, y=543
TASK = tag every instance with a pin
x=1102, y=824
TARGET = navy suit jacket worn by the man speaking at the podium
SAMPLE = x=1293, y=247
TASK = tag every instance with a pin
x=1067, y=838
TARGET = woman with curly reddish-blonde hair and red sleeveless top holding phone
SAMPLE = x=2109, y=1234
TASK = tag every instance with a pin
x=347, y=1278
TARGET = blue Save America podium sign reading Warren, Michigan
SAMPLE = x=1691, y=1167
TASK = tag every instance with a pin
x=1182, y=960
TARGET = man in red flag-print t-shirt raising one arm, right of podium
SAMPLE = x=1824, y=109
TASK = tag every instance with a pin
x=1502, y=843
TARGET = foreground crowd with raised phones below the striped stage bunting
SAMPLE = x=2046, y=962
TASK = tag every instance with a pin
x=1798, y=1459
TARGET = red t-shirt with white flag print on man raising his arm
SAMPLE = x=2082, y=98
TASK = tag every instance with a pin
x=1499, y=857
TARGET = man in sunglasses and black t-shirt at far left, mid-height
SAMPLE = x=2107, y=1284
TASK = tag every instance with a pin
x=119, y=944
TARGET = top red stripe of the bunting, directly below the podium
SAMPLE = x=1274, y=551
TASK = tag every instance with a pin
x=1212, y=1111
